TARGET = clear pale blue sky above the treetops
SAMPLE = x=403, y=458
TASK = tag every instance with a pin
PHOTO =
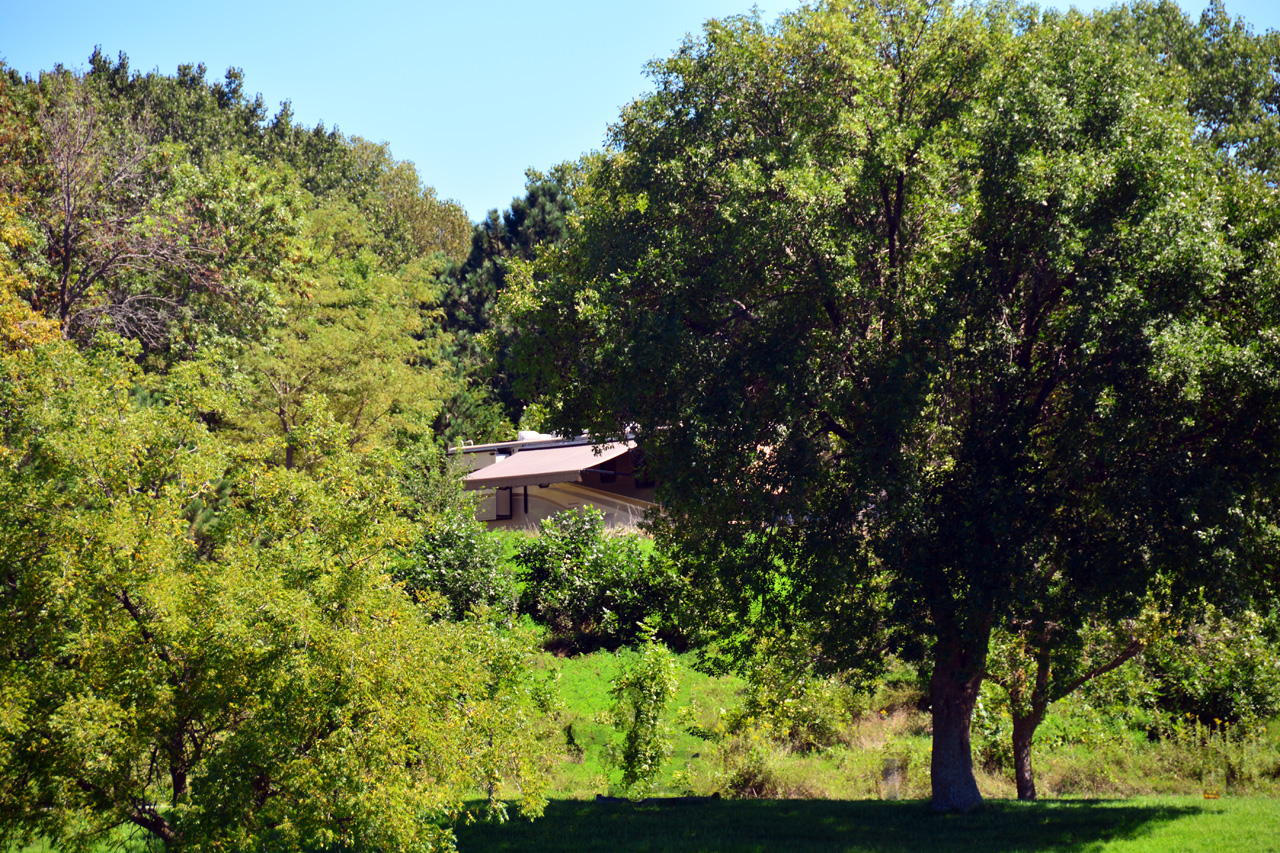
x=472, y=94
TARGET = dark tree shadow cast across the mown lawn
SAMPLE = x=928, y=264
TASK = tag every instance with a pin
x=853, y=827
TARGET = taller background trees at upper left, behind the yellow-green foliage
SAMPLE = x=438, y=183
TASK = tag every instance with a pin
x=175, y=213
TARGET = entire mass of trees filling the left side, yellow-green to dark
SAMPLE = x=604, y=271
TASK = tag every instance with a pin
x=222, y=352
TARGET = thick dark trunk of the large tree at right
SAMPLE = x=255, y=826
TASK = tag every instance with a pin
x=953, y=692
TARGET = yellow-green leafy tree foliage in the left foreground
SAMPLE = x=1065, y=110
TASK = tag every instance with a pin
x=260, y=683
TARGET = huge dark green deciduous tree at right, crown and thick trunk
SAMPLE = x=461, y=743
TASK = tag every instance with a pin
x=926, y=317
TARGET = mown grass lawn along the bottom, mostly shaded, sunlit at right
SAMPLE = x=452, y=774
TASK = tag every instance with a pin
x=1139, y=825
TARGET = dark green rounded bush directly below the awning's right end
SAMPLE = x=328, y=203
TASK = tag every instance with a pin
x=593, y=589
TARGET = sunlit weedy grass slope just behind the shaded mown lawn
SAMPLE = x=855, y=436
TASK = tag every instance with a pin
x=720, y=749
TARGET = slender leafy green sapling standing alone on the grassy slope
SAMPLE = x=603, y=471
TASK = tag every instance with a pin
x=642, y=691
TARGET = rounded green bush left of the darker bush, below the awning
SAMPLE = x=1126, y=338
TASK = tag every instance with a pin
x=458, y=560
